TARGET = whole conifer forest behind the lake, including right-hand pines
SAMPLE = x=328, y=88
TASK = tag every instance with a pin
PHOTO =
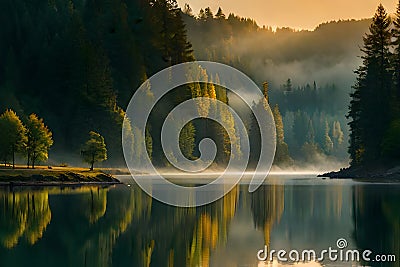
x=77, y=63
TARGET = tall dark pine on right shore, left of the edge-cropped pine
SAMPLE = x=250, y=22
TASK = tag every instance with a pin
x=369, y=108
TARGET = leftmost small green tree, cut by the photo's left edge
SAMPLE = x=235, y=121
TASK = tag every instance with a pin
x=12, y=136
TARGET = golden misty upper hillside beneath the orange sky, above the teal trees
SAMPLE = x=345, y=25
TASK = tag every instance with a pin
x=328, y=54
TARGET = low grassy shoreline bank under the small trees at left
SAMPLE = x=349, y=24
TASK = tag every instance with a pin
x=54, y=176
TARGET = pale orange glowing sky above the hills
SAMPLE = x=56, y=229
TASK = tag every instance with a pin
x=298, y=14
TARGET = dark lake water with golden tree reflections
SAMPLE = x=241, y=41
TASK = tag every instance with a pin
x=122, y=226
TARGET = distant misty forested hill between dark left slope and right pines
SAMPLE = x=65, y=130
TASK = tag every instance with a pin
x=309, y=73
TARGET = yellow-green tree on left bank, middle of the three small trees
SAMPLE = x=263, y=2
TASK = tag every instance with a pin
x=39, y=140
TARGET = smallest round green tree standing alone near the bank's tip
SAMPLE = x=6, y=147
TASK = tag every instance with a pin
x=94, y=150
